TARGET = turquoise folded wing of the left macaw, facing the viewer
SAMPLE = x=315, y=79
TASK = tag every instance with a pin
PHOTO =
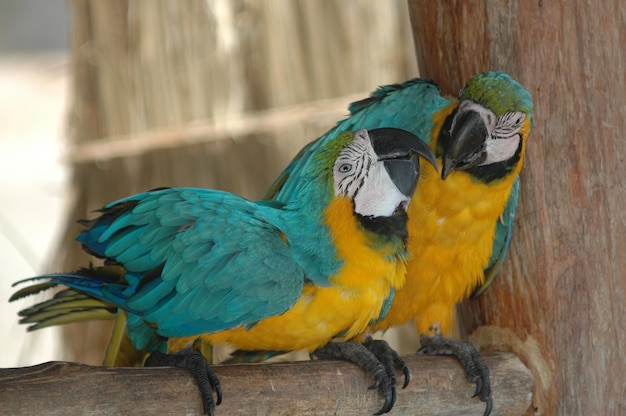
x=196, y=260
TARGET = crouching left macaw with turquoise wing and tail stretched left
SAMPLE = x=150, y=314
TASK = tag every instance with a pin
x=262, y=275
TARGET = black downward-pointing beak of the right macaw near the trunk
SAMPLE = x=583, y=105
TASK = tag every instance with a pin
x=466, y=147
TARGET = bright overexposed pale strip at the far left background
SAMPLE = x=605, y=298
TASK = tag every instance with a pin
x=34, y=72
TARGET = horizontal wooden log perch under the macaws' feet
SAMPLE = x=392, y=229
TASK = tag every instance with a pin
x=438, y=386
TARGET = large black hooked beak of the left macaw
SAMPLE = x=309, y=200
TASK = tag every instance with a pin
x=398, y=149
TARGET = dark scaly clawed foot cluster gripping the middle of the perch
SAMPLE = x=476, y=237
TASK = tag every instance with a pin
x=377, y=358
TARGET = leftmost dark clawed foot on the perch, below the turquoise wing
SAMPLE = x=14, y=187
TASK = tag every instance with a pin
x=195, y=362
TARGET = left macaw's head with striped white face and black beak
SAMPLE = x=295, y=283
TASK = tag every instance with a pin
x=378, y=169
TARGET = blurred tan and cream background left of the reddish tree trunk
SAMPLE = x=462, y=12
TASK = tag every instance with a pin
x=105, y=99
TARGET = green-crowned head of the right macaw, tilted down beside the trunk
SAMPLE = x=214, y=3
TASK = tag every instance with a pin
x=486, y=133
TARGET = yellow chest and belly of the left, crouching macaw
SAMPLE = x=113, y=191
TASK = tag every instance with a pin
x=354, y=298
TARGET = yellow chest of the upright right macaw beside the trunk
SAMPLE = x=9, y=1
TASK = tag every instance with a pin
x=452, y=225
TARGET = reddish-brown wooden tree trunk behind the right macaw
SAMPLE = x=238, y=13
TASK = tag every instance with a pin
x=559, y=301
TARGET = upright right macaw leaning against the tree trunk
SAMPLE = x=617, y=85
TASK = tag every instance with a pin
x=460, y=219
